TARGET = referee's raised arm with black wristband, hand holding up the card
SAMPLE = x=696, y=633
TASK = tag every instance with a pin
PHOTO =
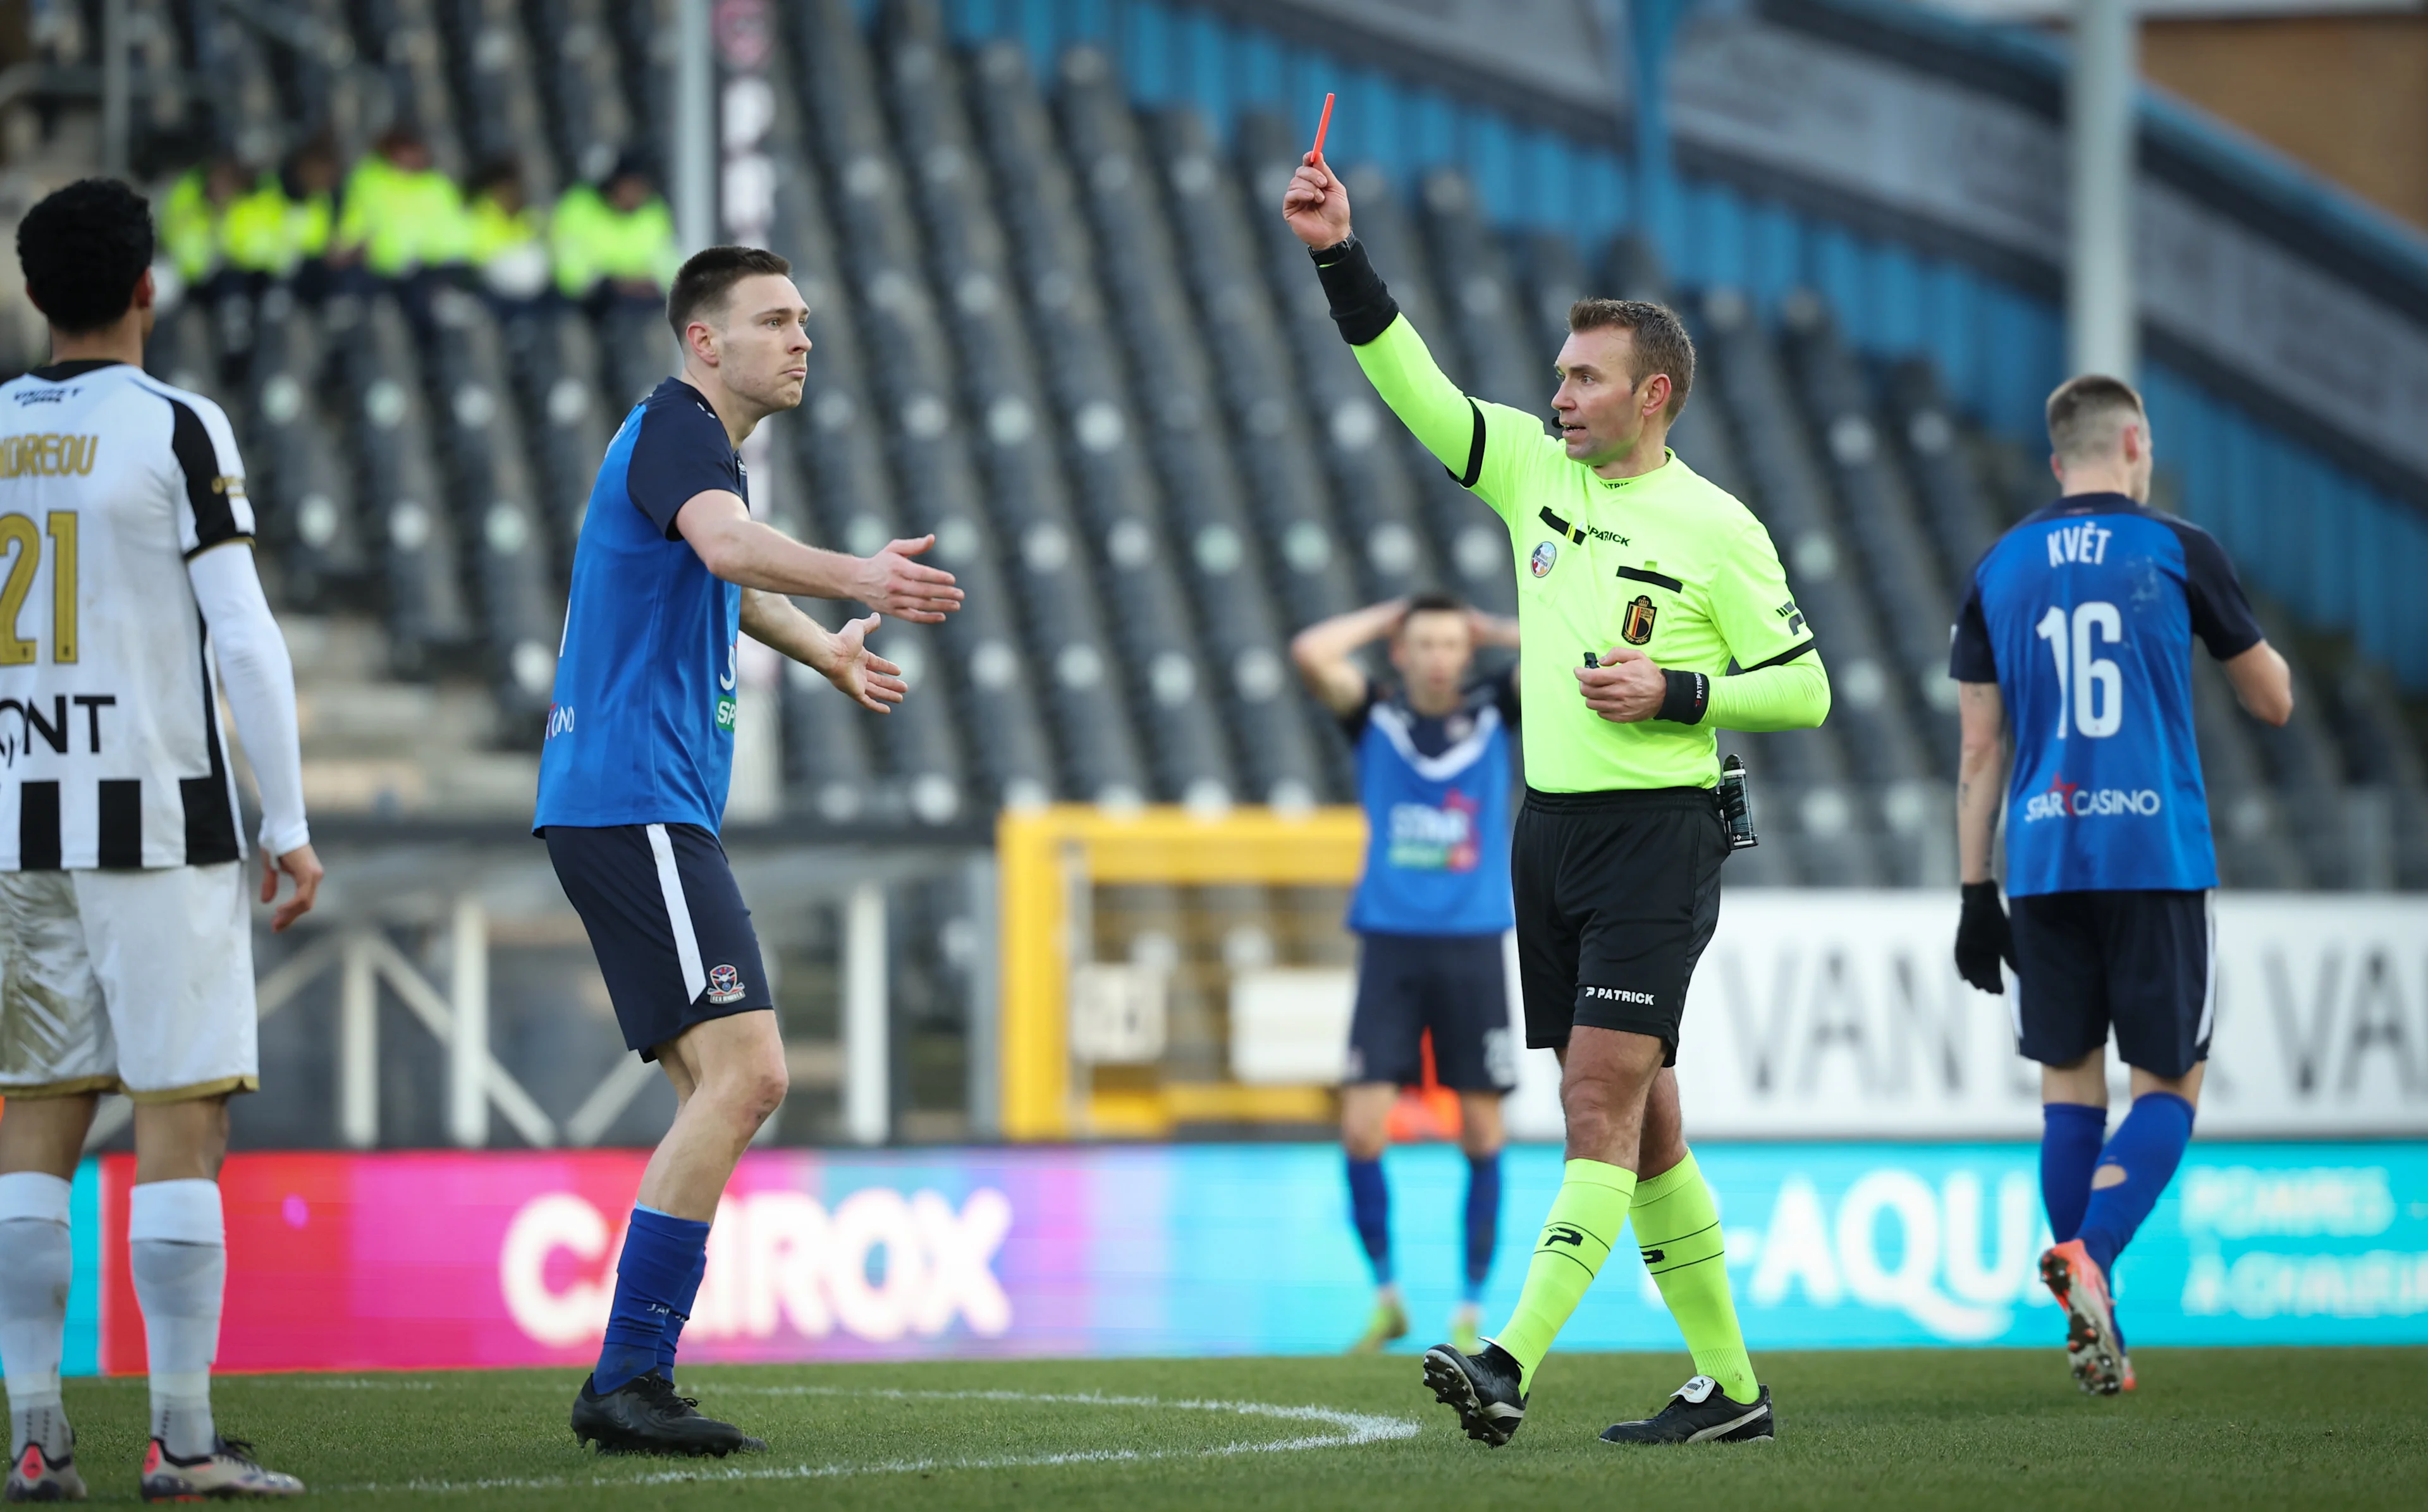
x=1456, y=428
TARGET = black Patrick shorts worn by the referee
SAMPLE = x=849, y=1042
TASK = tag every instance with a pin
x=1618, y=897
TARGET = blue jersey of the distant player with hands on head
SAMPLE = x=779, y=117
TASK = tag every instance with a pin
x=1439, y=814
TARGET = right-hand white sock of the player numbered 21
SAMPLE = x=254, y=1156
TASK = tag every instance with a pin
x=178, y=1256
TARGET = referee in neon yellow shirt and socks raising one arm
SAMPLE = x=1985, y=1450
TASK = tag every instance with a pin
x=1638, y=586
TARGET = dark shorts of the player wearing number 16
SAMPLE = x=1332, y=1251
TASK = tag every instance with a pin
x=2138, y=962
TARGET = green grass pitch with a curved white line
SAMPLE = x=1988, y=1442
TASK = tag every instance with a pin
x=1936, y=1428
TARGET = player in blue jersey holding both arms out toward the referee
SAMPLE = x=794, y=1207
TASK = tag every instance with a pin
x=632, y=785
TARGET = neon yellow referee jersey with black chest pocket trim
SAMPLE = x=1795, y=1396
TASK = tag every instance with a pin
x=1667, y=564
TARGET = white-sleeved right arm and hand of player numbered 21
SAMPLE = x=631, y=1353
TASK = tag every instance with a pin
x=261, y=688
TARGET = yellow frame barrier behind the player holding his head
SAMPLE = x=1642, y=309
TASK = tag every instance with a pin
x=1045, y=856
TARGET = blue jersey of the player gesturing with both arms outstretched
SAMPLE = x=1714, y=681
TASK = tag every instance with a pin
x=642, y=727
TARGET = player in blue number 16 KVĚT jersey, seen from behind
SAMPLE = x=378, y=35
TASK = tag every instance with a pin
x=2077, y=637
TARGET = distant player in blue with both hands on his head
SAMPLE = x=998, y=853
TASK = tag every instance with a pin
x=1434, y=773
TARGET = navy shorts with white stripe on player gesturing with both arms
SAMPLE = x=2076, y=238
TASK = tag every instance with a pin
x=666, y=921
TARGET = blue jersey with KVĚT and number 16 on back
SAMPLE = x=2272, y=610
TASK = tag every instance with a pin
x=2084, y=618
